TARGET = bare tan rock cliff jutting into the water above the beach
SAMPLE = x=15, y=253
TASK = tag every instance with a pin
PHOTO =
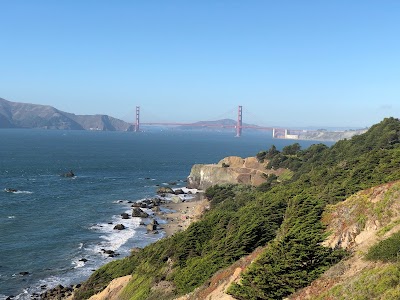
x=232, y=169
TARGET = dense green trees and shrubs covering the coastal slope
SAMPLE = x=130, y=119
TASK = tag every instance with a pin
x=283, y=216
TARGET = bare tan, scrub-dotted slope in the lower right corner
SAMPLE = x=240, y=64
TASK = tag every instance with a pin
x=367, y=225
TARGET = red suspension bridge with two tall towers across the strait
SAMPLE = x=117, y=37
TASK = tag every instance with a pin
x=239, y=126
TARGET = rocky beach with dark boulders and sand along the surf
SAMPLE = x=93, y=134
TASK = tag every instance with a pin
x=176, y=208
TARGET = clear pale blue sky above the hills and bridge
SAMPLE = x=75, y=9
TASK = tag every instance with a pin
x=288, y=63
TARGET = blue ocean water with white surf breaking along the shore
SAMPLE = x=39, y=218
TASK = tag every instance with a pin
x=52, y=222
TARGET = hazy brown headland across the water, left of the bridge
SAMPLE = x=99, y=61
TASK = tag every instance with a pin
x=25, y=115
